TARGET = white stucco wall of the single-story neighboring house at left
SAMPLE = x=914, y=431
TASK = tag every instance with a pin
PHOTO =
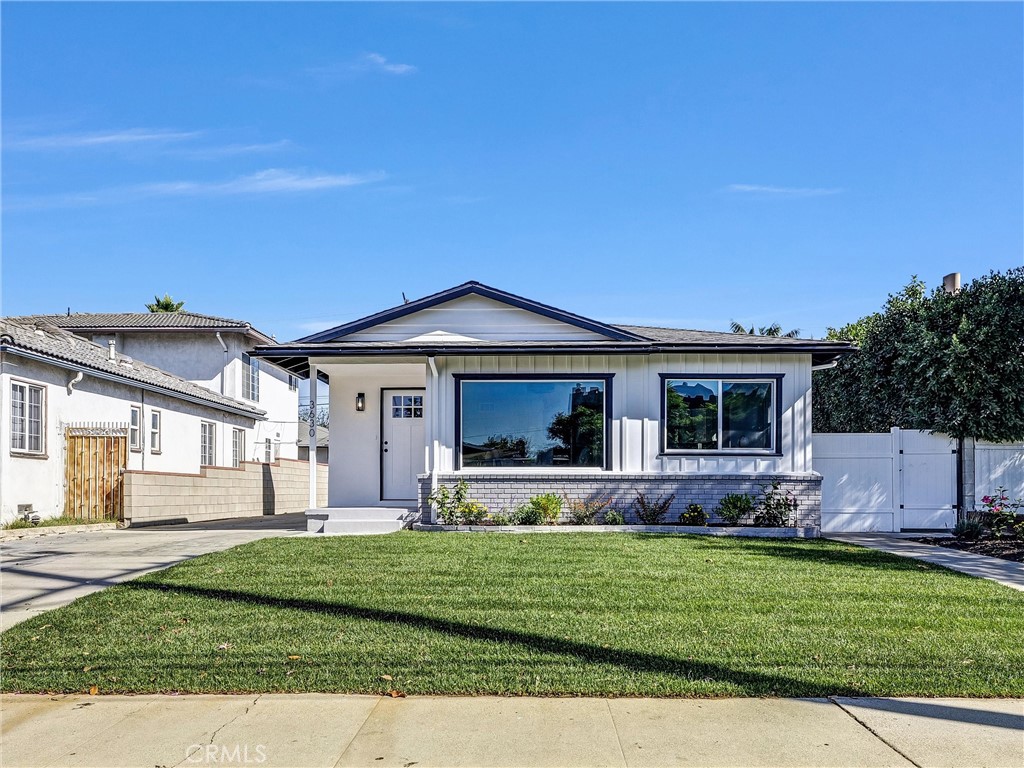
x=39, y=481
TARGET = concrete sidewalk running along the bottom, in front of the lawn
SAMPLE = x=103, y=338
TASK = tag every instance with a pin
x=343, y=731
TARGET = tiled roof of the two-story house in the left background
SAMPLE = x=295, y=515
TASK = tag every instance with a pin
x=114, y=322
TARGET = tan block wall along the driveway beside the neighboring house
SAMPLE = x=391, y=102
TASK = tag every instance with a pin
x=251, y=490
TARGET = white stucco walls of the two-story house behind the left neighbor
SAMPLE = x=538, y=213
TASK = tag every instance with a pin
x=199, y=358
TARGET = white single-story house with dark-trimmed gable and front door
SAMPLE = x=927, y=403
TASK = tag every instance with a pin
x=520, y=399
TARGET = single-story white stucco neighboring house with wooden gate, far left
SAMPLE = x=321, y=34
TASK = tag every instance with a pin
x=75, y=417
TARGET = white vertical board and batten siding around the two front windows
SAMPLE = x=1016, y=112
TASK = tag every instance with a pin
x=636, y=406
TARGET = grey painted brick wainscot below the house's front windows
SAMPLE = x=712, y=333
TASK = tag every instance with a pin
x=503, y=493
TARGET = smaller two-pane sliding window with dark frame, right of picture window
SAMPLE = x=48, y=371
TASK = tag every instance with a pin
x=729, y=414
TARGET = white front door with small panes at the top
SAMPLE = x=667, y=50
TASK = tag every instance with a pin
x=403, y=443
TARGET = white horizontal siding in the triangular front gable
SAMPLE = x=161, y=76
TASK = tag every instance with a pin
x=477, y=318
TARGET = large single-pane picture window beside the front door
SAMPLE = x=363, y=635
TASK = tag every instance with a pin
x=559, y=422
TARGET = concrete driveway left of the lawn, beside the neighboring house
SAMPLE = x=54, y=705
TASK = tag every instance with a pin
x=44, y=573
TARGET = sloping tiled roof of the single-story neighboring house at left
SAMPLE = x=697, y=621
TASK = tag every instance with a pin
x=57, y=347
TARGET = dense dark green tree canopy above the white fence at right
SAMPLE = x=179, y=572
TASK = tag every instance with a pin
x=940, y=362
